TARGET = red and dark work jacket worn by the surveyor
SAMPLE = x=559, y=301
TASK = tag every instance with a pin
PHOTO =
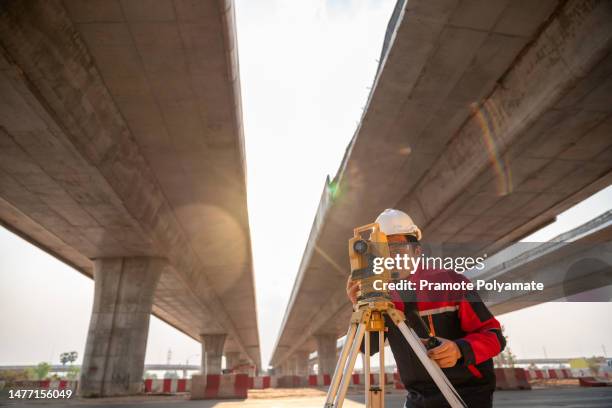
x=457, y=315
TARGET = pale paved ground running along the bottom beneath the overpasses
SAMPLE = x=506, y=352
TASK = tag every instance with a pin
x=541, y=398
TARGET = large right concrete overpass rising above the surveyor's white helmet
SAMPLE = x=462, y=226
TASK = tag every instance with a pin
x=485, y=121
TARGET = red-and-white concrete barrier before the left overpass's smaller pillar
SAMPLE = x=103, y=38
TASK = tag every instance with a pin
x=216, y=386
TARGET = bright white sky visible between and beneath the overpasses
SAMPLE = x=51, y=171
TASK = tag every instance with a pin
x=305, y=70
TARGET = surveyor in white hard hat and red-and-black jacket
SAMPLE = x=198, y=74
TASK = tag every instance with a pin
x=470, y=335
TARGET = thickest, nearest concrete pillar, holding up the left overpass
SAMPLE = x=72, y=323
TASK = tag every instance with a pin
x=113, y=363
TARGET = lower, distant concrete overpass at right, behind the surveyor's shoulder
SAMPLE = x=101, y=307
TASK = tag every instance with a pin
x=576, y=262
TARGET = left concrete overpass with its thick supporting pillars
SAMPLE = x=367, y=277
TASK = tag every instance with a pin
x=121, y=153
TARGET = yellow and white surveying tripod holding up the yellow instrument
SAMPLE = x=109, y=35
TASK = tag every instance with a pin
x=369, y=317
